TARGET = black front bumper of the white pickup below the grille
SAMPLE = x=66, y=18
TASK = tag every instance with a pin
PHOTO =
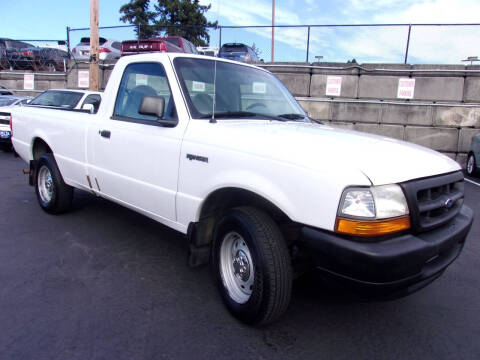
x=399, y=265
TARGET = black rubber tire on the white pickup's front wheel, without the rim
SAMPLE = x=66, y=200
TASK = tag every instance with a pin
x=271, y=263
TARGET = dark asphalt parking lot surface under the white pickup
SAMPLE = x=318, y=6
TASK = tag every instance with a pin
x=103, y=282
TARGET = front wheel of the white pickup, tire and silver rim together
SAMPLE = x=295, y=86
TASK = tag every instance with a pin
x=252, y=266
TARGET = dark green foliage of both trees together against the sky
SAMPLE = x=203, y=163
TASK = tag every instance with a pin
x=172, y=17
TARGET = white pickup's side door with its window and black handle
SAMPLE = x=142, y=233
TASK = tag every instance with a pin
x=133, y=159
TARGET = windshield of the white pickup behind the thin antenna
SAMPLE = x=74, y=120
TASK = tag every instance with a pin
x=240, y=91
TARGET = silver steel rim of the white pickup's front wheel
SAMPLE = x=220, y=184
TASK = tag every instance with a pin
x=236, y=267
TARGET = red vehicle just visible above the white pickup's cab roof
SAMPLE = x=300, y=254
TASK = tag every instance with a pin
x=163, y=44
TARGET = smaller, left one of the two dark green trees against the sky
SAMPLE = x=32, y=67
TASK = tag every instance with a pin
x=137, y=12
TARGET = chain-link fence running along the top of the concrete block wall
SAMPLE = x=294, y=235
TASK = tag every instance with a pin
x=377, y=43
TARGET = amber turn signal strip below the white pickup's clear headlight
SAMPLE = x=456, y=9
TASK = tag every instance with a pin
x=373, y=227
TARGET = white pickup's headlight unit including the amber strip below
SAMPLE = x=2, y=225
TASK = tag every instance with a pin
x=373, y=211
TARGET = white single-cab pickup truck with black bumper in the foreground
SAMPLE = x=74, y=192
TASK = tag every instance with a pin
x=222, y=152
